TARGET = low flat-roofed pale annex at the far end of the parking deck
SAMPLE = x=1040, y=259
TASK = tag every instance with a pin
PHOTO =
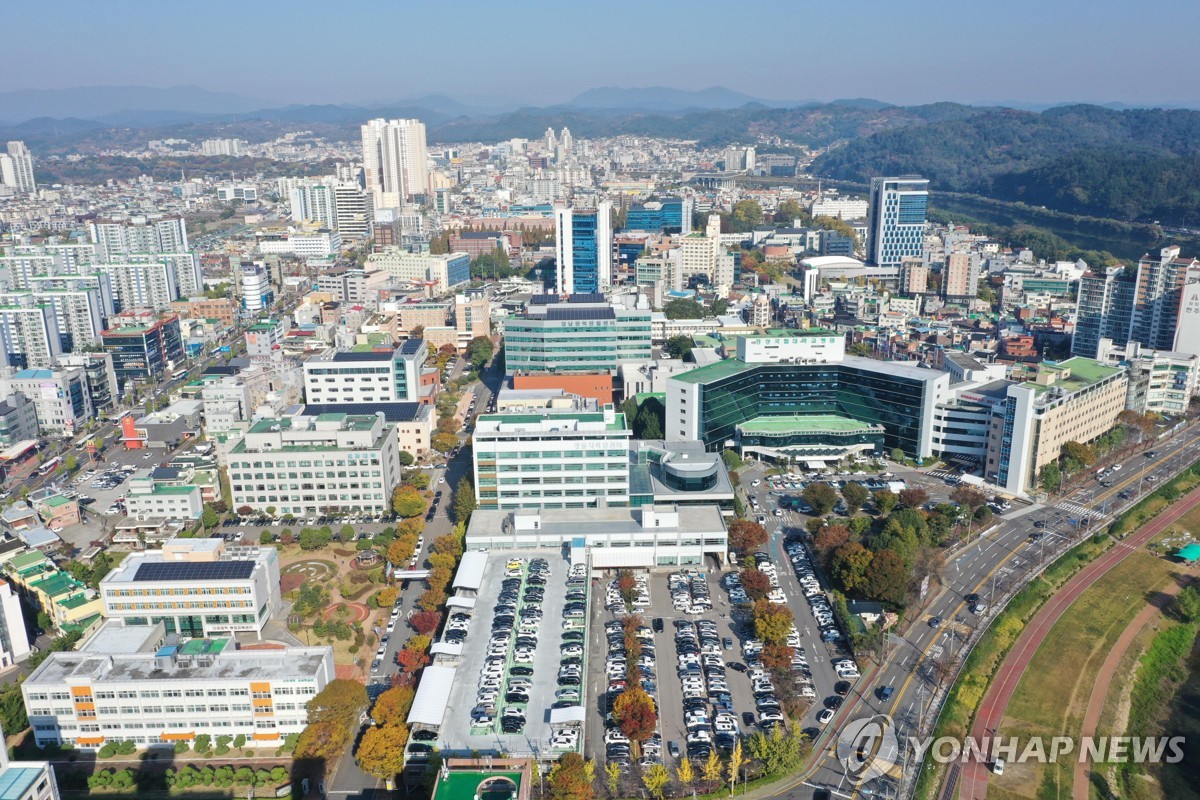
x=649, y=538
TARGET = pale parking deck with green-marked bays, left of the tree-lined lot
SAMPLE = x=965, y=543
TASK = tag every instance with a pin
x=524, y=654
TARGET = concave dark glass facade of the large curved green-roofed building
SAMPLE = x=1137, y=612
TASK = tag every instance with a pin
x=783, y=390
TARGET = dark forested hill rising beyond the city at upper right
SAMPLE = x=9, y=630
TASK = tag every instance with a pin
x=1131, y=165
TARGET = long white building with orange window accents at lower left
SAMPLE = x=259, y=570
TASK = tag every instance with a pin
x=142, y=685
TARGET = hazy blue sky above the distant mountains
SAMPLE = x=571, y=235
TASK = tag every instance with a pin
x=541, y=53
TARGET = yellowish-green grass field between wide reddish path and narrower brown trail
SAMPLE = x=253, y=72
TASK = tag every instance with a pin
x=1053, y=695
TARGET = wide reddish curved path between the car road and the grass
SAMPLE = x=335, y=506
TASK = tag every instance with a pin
x=995, y=702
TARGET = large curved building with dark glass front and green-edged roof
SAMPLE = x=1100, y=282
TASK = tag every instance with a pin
x=812, y=407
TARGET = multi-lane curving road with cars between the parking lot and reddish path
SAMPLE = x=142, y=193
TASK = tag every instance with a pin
x=991, y=567
